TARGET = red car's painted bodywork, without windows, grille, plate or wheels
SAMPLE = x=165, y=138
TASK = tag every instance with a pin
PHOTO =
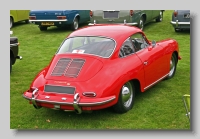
x=104, y=76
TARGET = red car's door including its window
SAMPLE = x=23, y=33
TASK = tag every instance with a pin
x=152, y=58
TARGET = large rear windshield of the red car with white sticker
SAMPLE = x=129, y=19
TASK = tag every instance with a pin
x=93, y=45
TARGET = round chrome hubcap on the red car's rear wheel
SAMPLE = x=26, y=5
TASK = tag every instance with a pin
x=127, y=94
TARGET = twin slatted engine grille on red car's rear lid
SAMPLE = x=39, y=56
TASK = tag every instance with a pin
x=68, y=67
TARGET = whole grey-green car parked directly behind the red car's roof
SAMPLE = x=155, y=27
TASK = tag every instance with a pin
x=130, y=17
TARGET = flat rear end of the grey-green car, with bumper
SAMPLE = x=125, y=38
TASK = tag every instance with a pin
x=112, y=17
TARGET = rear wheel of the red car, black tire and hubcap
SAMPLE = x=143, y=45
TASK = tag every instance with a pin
x=125, y=99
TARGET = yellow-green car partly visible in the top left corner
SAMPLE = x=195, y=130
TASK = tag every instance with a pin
x=18, y=15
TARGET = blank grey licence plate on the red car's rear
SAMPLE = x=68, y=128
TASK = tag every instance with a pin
x=59, y=89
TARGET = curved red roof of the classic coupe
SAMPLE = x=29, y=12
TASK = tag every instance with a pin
x=112, y=31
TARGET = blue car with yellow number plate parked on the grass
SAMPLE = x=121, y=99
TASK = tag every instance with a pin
x=59, y=18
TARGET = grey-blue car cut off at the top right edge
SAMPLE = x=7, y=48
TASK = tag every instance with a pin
x=181, y=20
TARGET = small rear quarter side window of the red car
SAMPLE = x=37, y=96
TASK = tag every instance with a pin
x=126, y=48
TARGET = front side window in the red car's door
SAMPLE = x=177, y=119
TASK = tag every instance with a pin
x=139, y=41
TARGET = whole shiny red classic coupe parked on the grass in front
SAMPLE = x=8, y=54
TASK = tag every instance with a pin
x=102, y=66
